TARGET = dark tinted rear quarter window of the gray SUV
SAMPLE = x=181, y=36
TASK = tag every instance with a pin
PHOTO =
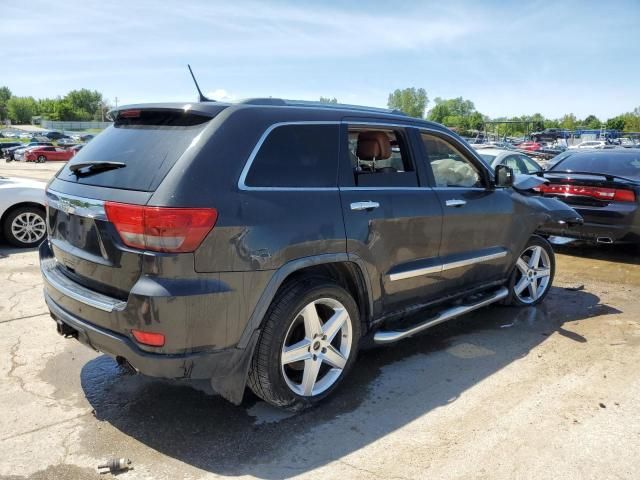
x=303, y=156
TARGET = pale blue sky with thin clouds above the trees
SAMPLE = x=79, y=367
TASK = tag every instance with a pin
x=509, y=58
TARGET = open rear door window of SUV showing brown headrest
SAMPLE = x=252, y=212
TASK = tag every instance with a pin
x=380, y=158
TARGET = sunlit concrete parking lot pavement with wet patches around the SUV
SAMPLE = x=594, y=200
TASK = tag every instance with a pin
x=502, y=393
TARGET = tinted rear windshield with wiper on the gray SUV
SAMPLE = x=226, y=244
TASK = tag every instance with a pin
x=149, y=144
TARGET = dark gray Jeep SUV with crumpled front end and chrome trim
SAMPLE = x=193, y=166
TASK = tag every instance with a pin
x=260, y=243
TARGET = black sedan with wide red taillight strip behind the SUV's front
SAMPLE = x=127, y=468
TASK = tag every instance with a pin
x=604, y=187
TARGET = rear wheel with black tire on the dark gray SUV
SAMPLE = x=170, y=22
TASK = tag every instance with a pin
x=308, y=344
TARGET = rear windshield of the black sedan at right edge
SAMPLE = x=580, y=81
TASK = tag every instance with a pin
x=624, y=164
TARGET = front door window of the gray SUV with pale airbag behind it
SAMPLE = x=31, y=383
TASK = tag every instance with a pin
x=450, y=167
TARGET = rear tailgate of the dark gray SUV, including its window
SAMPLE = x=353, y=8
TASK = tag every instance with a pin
x=145, y=144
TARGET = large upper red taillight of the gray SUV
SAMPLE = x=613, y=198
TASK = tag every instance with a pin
x=161, y=229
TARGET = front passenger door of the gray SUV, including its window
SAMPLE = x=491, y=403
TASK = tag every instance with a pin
x=477, y=229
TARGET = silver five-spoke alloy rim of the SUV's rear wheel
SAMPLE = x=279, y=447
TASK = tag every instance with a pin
x=316, y=347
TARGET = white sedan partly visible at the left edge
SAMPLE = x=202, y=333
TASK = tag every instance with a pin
x=22, y=211
